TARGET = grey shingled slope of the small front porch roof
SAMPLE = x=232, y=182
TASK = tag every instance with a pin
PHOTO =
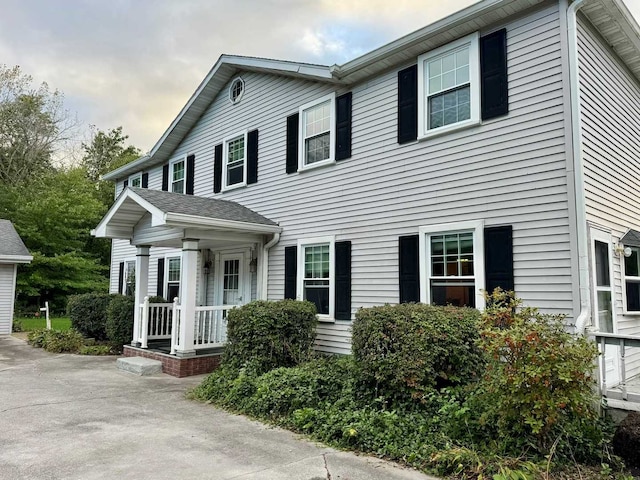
x=170, y=202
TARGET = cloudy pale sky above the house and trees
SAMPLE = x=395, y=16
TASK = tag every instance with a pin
x=135, y=63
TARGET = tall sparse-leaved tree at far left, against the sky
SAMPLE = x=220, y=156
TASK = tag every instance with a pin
x=33, y=125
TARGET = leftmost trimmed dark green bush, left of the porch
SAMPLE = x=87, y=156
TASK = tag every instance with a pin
x=88, y=313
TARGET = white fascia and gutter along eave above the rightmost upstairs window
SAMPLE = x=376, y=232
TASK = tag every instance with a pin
x=474, y=11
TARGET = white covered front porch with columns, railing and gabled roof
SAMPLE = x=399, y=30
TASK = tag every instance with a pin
x=209, y=256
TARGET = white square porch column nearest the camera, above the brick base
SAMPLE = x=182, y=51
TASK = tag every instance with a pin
x=188, y=279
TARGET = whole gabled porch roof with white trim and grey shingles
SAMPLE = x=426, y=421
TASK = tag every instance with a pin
x=169, y=209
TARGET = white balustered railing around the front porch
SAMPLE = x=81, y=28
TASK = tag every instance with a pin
x=160, y=321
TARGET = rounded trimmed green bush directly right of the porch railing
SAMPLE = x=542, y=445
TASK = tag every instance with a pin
x=269, y=335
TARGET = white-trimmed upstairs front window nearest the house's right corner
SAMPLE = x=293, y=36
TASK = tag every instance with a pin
x=449, y=87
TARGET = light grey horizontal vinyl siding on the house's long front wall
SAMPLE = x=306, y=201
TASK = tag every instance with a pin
x=509, y=171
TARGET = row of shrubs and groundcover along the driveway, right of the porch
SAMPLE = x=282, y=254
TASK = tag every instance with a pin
x=447, y=390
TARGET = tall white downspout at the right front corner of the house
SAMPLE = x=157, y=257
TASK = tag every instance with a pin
x=584, y=317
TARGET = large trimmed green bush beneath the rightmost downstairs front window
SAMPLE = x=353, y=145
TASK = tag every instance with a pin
x=406, y=350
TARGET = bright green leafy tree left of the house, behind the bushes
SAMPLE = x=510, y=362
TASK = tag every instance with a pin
x=54, y=214
